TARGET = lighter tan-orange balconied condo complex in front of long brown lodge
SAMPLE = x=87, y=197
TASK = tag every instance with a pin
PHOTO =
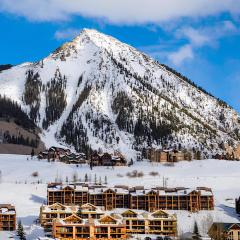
x=90, y=219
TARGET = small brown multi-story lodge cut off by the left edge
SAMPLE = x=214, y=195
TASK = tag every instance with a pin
x=7, y=217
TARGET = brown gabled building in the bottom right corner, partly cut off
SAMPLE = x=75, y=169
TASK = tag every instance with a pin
x=224, y=231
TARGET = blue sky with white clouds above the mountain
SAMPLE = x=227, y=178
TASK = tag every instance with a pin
x=198, y=38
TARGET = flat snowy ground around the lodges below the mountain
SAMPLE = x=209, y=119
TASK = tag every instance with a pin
x=27, y=193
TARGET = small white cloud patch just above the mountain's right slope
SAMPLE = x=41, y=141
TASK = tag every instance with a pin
x=184, y=53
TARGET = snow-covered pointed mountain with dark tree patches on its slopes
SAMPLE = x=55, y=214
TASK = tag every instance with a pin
x=96, y=92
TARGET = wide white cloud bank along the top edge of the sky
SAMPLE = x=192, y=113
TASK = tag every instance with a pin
x=119, y=12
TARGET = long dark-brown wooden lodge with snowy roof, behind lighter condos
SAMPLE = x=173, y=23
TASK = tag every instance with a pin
x=132, y=198
